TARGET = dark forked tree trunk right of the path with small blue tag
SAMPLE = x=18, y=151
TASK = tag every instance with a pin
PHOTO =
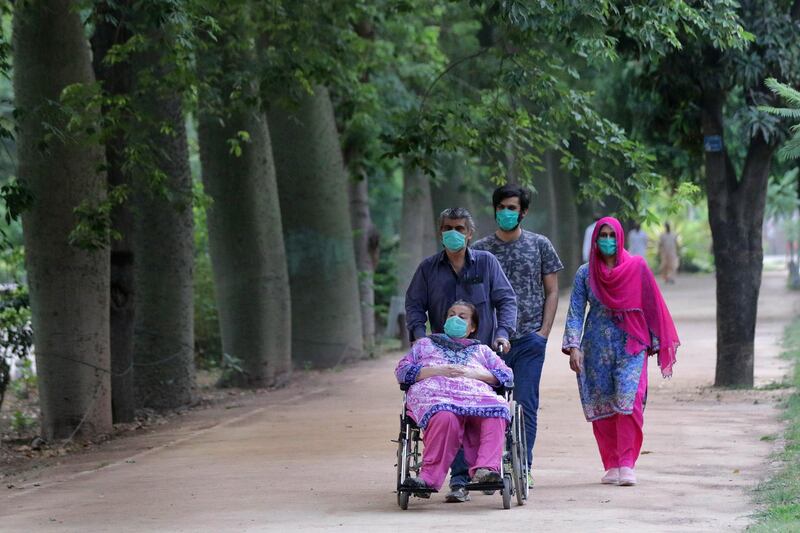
x=736, y=214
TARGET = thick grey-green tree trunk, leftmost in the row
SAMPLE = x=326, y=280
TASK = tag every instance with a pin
x=68, y=286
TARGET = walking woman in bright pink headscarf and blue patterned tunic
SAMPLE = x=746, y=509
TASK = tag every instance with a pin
x=608, y=347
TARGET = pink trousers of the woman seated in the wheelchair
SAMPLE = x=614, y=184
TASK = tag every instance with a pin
x=482, y=439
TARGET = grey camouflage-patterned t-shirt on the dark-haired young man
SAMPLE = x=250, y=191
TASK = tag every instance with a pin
x=525, y=262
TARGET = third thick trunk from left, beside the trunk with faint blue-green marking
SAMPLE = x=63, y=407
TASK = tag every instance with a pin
x=247, y=251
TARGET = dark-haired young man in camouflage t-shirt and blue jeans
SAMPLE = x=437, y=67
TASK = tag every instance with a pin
x=531, y=264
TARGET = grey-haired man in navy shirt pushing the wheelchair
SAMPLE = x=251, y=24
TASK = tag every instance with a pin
x=460, y=273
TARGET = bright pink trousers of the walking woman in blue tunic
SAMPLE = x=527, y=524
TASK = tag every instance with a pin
x=619, y=437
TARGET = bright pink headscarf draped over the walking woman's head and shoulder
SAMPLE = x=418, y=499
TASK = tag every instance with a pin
x=630, y=291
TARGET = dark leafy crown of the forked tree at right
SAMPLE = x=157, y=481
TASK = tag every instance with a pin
x=667, y=97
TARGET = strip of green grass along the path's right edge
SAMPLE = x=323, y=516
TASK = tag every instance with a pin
x=780, y=496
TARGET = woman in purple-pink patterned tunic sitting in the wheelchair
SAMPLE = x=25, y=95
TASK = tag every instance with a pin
x=452, y=399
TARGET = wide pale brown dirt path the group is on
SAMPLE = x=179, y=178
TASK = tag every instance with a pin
x=317, y=456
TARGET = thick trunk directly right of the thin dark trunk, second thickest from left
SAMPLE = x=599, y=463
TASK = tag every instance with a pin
x=163, y=244
